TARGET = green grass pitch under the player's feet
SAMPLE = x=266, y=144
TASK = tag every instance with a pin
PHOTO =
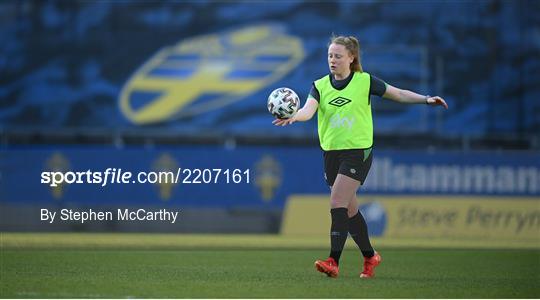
x=178, y=266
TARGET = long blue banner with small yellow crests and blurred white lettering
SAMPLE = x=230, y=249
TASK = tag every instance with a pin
x=248, y=177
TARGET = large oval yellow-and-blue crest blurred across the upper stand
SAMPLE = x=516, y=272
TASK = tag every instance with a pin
x=208, y=72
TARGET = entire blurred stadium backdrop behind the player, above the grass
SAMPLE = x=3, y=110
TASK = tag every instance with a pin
x=152, y=86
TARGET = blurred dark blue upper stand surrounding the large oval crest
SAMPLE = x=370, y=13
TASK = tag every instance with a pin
x=66, y=64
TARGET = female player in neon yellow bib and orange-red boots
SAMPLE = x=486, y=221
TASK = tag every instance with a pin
x=342, y=99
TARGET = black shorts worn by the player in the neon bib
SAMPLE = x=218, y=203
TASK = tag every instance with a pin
x=353, y=163
